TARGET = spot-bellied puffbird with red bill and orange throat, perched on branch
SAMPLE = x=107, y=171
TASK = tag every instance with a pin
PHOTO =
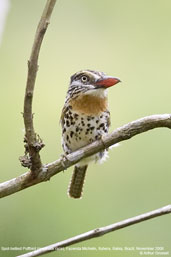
x=85, y=118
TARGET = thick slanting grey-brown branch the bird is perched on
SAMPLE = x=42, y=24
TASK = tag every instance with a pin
x=123, y=133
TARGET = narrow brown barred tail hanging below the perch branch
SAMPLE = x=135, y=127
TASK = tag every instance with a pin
x=77, y=181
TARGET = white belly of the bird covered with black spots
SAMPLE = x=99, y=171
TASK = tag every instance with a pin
x=80, y=130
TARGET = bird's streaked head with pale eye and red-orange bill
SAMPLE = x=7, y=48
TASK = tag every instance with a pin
x=90, y=82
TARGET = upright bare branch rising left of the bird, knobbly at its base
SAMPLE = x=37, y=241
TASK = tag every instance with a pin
x=33, y=144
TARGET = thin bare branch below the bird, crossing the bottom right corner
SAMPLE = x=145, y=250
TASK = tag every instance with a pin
x=99, y=231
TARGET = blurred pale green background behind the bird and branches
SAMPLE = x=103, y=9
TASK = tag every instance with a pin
x=128, y=39
